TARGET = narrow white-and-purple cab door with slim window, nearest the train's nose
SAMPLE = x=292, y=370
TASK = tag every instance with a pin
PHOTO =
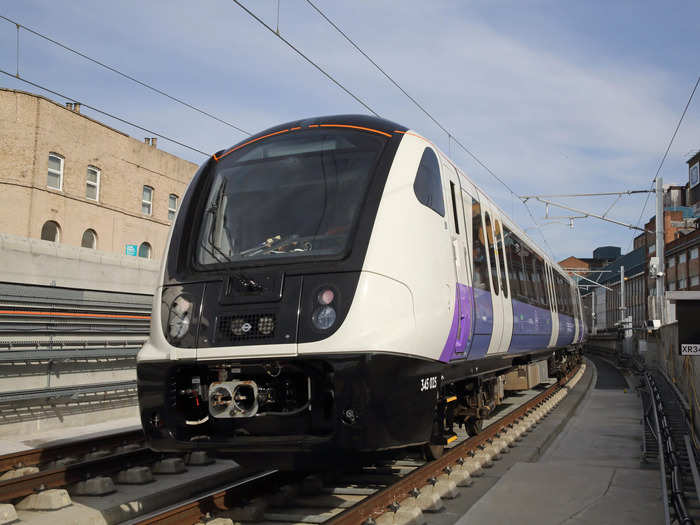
x=457, y=236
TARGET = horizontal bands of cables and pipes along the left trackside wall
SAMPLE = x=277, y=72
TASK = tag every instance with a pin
x=43, y=325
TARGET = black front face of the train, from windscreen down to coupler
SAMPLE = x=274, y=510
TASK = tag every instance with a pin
x=265, y=256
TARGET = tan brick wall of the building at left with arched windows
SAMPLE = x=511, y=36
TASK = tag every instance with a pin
x=33, y=127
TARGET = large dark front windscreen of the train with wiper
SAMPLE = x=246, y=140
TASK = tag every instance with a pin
x=297, y=194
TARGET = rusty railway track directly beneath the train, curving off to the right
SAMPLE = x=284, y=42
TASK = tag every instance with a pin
x=389, y=491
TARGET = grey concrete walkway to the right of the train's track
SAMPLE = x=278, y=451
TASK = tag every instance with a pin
x=588, y=474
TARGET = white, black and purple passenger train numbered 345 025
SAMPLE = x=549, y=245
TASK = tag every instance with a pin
x=338, y=285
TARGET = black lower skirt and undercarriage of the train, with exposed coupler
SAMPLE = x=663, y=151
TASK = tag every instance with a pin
x=320, y=405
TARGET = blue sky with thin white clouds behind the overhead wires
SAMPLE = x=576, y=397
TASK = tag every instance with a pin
x=555, y=97
